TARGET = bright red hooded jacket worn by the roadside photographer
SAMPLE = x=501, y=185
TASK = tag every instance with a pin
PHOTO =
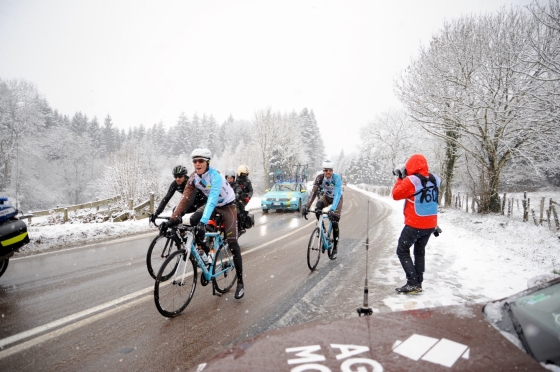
x=405, y=189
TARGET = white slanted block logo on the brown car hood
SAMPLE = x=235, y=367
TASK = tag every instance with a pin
x=444, y=352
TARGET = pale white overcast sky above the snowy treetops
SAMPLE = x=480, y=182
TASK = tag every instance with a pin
x=146, y=61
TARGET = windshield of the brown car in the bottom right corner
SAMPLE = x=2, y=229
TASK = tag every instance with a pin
x=538, y=316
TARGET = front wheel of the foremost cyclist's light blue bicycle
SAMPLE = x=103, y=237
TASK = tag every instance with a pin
x=174, y=294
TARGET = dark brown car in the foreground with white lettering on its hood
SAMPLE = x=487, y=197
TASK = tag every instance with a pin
x=517, y=333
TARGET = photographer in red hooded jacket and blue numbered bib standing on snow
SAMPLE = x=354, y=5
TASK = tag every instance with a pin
x=420, y=190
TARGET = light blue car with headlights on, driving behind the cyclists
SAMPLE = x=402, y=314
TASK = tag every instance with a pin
x=286, y=195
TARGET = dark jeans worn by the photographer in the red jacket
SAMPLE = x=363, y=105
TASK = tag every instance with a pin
x=419, y=238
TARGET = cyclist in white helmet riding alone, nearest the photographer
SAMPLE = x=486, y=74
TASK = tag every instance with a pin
x=331, y=184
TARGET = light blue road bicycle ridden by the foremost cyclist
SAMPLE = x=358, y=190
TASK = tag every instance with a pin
x=177, y=278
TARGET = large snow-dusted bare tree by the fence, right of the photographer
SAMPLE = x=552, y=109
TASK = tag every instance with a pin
x=471, y=89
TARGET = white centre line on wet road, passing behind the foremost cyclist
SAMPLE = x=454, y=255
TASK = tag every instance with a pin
x=71, y=318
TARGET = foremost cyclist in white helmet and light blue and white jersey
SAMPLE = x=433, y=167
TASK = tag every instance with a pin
x=221, y=198
